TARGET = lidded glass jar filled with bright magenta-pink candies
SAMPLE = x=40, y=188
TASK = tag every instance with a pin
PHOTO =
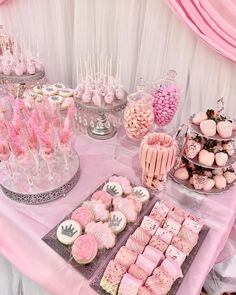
x=166, y=99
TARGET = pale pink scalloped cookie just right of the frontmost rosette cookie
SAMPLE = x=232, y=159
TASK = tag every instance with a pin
x=103, y=234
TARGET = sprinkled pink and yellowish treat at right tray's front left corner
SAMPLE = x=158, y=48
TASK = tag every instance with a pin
x=112, y=277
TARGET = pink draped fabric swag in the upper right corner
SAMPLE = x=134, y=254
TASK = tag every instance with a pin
x=213, y=20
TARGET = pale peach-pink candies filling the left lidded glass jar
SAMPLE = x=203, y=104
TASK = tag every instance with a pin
x=138, y=119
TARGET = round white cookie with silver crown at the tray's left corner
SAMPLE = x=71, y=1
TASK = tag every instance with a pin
x=68, y=231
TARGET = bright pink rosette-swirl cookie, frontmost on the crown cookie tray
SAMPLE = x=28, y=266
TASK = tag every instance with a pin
x=85, y=249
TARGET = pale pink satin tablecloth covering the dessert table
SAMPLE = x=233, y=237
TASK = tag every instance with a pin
x=22, y=227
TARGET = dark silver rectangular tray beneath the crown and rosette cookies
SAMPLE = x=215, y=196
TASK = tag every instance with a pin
x=88, y=270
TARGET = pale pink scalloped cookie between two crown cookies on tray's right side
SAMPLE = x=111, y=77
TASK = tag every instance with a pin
x=127, y=207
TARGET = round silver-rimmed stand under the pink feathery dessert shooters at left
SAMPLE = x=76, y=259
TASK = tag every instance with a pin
x=43, y=190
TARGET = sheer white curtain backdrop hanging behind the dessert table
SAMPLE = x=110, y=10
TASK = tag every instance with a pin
x=145, y=34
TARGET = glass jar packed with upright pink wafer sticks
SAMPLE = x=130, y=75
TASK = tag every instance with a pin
x=157, y=156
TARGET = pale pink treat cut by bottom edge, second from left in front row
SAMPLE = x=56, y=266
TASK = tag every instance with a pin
x=129, y=285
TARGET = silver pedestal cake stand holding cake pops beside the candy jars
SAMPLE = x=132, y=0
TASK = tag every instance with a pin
x=103, y=128
